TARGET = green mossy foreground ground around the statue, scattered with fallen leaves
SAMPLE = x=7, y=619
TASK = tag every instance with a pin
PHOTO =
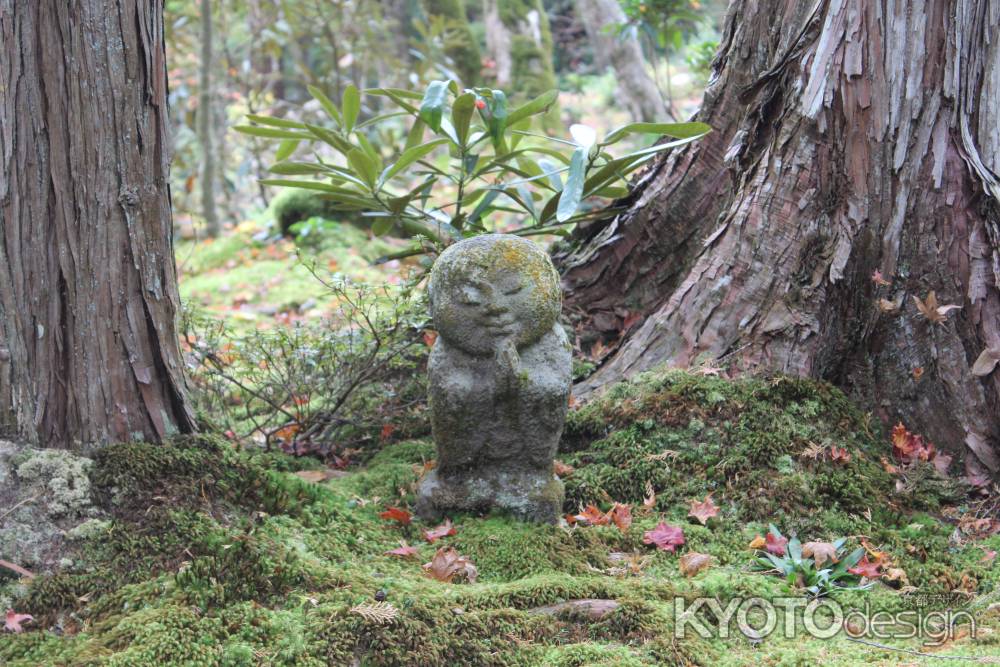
x=215, y=556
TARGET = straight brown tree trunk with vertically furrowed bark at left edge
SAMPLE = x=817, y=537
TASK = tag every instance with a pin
x=88, y=288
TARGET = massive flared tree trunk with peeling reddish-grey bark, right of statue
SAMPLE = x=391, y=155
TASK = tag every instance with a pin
x=849, y=136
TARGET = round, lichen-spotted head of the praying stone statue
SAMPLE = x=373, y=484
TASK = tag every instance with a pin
x=493, y=288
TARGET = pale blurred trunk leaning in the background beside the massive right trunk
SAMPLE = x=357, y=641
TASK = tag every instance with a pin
x=636, y=87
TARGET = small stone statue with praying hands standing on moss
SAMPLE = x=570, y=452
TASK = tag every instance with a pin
x=499, y=380
